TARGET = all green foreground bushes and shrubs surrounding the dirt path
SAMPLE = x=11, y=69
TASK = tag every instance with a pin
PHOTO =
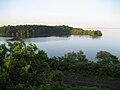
x=25, y=67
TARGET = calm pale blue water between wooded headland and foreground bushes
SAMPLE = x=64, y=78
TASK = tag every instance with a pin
x=58, y=46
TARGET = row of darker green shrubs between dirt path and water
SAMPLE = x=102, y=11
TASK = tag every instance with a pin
x=107, y=65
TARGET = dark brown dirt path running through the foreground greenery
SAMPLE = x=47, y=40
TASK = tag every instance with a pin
x=84, y=81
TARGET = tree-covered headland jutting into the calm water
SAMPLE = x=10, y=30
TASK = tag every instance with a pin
x=26, y=31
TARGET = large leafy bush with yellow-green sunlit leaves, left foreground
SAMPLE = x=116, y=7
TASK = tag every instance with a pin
x=24, y=66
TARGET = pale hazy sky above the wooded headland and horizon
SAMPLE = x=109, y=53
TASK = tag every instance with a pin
x=76, y=13
